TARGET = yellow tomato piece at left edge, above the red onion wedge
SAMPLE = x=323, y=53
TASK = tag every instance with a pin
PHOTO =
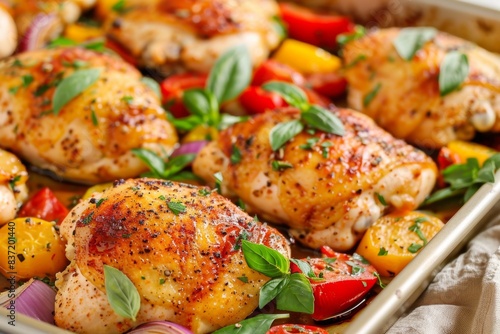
x=31, y=247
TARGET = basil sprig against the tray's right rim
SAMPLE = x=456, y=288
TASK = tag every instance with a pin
x=466, y=179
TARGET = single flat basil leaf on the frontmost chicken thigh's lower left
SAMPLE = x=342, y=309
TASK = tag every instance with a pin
x=123, y=296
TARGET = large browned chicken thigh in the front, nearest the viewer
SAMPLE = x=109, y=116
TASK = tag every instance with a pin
x=185, y=265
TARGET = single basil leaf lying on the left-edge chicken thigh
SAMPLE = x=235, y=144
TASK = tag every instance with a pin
x=72, y=86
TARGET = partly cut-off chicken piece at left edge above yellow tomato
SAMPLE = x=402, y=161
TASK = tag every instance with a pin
x=13, y=189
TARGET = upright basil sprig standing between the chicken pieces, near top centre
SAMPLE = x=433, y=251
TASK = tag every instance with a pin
x=229, y=76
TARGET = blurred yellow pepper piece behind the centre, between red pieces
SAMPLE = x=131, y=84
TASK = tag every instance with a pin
x=306, y=58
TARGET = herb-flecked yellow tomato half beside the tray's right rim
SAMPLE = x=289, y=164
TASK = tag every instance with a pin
x=393, y=240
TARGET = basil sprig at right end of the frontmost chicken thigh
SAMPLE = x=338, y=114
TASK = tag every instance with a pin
x=293, y=292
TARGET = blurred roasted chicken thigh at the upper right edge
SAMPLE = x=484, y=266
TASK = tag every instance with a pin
x=408, y=103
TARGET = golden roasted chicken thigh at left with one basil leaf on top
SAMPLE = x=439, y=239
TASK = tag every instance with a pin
x=90, y=139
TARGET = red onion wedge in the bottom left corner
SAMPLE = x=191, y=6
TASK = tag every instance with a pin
x=34, y=299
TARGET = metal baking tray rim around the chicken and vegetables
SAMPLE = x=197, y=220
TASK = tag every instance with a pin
x=475, y=20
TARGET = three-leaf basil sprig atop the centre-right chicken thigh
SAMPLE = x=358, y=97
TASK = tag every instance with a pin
x=313, y=116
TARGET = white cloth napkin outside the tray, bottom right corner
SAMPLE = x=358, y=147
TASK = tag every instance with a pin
x=465, y=296
